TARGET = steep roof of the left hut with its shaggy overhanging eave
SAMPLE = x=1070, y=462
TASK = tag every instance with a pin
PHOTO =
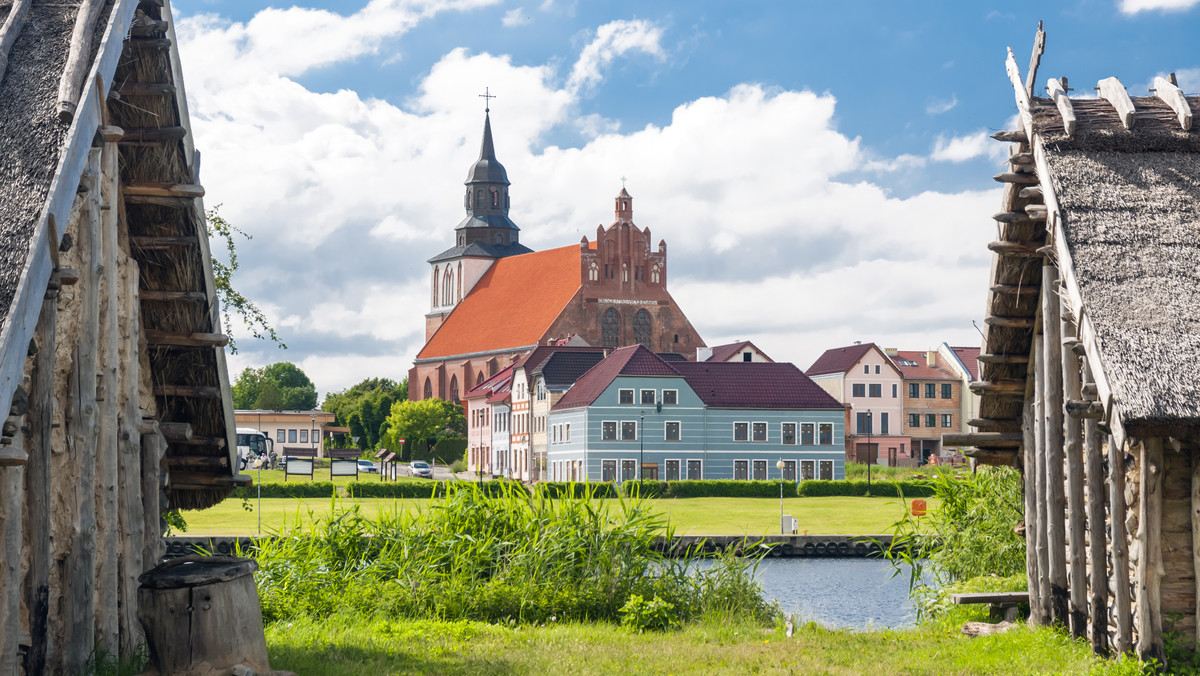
x=130, y=82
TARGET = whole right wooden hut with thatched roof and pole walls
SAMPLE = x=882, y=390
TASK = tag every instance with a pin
x=1091, y=356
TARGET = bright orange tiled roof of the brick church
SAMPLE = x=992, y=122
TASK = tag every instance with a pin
x=512, y=307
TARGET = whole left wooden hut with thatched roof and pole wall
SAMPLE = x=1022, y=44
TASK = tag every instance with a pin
x=112, y=368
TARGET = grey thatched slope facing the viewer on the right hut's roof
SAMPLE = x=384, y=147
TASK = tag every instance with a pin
x=1131, y=206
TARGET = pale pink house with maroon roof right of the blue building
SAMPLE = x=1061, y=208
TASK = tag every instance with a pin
x=869, y=385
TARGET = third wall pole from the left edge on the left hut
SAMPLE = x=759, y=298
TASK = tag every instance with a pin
x=80, y=593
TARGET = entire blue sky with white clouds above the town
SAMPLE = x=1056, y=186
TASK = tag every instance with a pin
x=820, y=171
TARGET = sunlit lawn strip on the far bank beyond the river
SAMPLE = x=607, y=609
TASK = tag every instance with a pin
x=692, y=517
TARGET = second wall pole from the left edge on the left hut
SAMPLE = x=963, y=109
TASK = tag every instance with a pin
x=38, y=486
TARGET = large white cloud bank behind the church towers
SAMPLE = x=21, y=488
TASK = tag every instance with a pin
x=349, y=196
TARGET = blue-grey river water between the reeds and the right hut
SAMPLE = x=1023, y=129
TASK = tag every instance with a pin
x=850, y=594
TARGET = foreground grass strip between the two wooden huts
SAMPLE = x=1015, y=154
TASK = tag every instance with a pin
x=352, y=647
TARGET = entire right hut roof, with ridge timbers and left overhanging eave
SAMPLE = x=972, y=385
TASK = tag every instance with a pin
x=1109, y=189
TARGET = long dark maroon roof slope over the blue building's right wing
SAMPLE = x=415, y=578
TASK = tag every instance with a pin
x=754, y=385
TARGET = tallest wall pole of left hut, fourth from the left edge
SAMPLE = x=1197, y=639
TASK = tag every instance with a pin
x=107, y=478
